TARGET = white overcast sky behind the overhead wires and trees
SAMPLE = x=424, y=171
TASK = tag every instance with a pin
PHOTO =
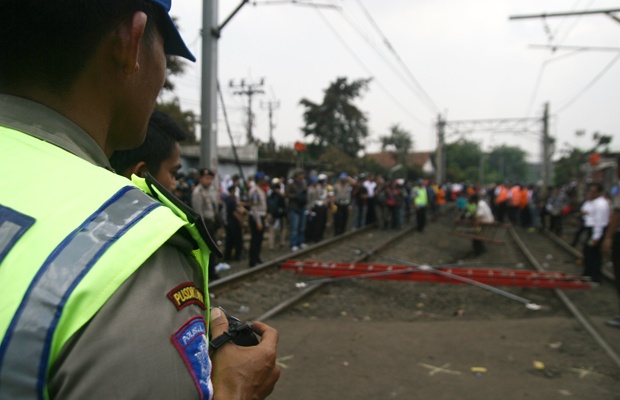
x=466, y=55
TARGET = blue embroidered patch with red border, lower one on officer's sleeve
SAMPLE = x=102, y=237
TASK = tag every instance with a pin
x=192, y=343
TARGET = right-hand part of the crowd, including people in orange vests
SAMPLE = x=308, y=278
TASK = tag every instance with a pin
x=530, y=207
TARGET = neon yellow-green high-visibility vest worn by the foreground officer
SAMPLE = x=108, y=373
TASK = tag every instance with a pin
x=65, y=249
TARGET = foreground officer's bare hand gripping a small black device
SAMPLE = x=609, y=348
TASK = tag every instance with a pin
x=244, y=372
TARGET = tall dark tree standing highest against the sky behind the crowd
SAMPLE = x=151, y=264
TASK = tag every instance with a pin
x=337, y=121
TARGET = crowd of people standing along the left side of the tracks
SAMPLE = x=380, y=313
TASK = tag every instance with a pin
x=298, y=210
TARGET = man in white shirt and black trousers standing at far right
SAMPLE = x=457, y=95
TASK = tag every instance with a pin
x=598, y=217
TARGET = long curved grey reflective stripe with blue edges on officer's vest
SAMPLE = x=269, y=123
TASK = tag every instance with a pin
x=24, y=352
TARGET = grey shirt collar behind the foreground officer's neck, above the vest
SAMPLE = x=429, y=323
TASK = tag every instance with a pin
x=42, y=122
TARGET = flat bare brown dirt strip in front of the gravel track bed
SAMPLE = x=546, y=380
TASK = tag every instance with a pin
x=344, y=359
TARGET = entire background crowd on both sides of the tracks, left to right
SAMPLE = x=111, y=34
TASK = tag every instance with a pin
x=297, y=211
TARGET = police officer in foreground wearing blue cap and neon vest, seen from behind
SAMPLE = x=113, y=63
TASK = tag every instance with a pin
x=102, y=287
